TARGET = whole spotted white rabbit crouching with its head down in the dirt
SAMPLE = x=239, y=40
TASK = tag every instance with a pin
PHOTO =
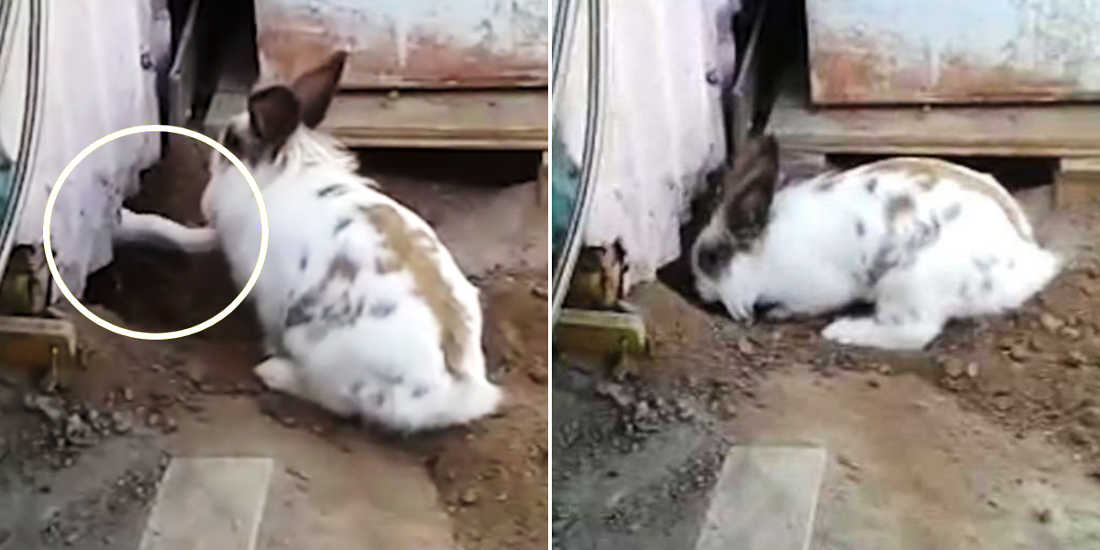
x=923, y=240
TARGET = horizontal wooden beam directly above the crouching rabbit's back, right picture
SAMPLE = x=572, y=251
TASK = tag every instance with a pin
x=1062, y=130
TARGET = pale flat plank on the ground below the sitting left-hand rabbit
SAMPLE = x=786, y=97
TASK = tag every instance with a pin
x=210, y=504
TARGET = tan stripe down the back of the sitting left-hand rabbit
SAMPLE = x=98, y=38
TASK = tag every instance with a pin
x=414, y=250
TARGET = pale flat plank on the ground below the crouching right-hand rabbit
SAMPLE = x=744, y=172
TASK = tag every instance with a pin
x=766, y=500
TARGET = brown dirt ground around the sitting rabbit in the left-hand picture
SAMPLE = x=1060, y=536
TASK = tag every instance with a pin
x=79, y=469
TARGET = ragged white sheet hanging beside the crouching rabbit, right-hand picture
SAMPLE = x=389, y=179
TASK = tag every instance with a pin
x=663, y=127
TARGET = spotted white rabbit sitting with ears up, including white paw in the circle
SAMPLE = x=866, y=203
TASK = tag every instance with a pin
x=364, y=310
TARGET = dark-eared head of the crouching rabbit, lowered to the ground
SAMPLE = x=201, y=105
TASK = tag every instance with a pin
x=740, y=216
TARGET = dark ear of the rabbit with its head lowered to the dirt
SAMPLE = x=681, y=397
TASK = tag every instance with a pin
x=752, y=184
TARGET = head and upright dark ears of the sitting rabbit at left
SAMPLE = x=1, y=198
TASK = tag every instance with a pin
x=274, y=115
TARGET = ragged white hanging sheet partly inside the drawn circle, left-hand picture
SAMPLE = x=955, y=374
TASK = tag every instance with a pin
x=101, y=76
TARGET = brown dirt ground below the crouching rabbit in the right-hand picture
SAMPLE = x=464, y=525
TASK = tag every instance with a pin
x=991, y=439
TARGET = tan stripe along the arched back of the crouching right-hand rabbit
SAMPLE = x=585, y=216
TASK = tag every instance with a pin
x=930, y=172
